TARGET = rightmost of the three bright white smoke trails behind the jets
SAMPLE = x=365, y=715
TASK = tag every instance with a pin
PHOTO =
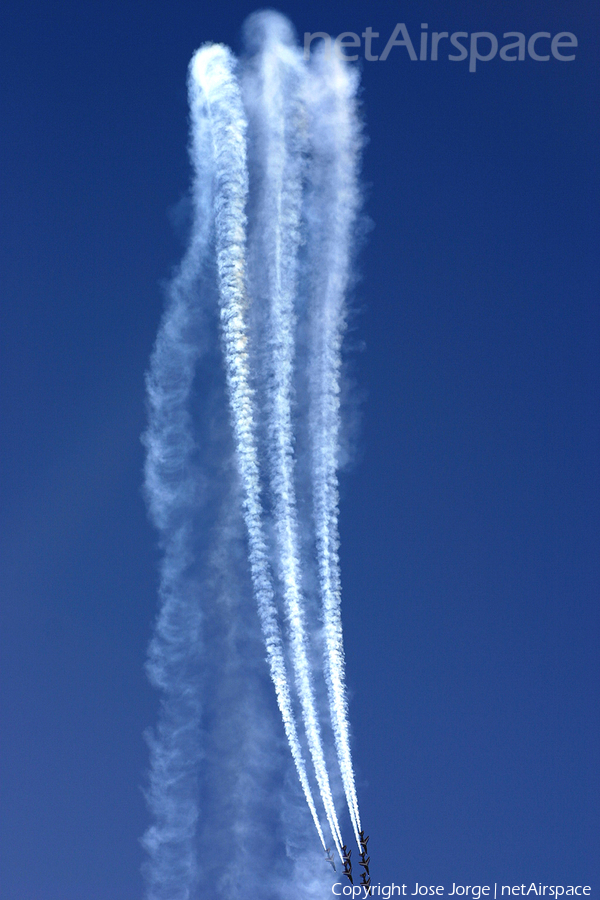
x=331, y=101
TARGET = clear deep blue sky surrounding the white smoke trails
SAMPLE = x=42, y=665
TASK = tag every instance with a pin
x=469, y=516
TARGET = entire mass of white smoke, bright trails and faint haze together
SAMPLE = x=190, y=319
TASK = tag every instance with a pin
x=275, y=144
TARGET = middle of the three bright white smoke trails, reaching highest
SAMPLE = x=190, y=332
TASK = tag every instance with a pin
x=278, y=112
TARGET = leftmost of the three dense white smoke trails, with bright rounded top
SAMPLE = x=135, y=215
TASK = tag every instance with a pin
x=212, y=73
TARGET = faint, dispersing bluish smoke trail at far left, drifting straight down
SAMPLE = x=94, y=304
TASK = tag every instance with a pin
x=172, y=490
